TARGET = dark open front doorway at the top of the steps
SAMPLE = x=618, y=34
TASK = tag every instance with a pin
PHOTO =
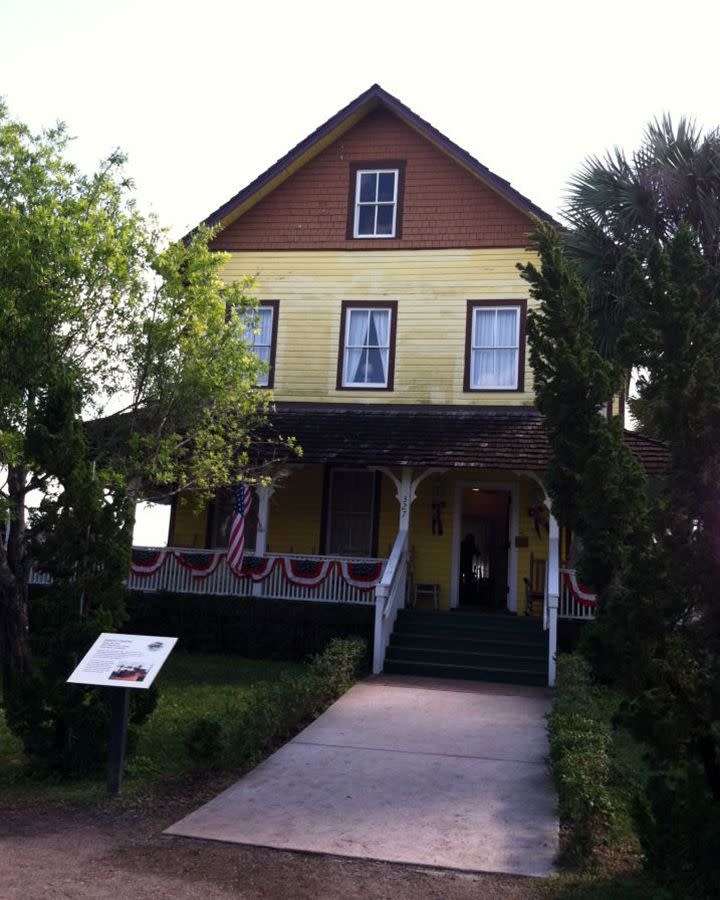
x=484, y=547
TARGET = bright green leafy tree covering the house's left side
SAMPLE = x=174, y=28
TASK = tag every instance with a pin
x=101, y=314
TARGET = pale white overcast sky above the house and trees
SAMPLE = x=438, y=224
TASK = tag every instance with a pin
x=203, y=97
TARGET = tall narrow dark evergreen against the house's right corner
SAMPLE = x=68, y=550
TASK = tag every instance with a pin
x=597, y=485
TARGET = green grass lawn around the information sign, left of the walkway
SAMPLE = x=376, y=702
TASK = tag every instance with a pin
x=191, y=685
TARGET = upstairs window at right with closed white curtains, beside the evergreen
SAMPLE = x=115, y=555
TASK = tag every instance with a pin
x=494, y=347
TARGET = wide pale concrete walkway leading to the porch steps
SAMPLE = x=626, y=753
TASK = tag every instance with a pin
x=433, y=773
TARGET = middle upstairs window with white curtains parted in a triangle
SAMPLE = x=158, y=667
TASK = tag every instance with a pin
x=367, y=345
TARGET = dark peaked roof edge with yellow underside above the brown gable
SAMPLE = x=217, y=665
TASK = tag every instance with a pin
x=373, y=98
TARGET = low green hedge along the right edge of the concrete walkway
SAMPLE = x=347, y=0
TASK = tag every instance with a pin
x=580, y=757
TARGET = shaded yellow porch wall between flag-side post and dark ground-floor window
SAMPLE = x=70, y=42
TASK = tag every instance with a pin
x=295, y=512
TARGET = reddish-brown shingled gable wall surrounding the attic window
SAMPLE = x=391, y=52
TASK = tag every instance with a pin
x=443, y=205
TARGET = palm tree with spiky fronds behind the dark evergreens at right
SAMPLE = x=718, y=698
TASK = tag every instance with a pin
x=618, y=203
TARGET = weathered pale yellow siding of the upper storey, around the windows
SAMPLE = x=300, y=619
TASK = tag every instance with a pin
x=431, y=287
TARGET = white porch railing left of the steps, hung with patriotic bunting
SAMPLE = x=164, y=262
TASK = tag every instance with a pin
x=175, y=577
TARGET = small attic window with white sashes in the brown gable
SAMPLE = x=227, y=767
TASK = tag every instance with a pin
x=375, y=200
